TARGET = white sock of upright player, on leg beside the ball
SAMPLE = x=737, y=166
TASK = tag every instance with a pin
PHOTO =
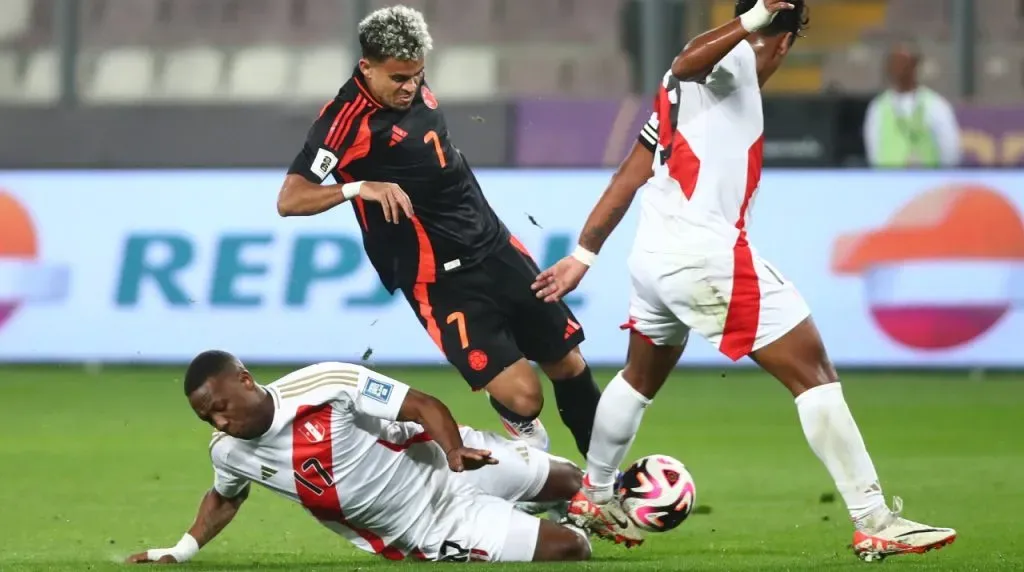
x=618, y=419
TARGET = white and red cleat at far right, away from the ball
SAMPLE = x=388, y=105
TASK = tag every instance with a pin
x=895, y=536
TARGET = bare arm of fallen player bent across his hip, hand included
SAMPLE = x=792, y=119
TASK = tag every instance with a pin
x=438, y=421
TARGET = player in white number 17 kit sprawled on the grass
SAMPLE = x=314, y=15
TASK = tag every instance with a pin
x=378, y=463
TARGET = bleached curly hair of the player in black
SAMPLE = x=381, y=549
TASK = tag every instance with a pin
x=396, y=32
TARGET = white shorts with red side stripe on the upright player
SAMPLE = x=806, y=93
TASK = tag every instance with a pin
x=732, y=297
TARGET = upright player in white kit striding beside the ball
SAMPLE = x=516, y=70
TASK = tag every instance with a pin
x=699, y=161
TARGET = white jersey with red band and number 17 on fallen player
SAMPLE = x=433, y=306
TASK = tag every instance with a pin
x=332, y=450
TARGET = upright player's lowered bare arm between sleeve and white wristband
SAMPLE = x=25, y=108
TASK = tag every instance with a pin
x=616, y=201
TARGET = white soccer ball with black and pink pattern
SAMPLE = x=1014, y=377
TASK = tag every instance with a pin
x=658, y=493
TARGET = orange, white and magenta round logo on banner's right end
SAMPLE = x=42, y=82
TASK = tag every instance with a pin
x=943, y=272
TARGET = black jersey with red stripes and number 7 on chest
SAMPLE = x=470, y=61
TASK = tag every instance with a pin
x=358, y=140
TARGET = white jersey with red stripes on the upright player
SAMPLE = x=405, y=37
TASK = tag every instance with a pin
x=708, y=142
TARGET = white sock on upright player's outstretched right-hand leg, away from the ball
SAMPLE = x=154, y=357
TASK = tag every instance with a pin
x=835, y=438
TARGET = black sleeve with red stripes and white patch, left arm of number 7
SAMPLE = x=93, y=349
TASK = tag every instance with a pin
x=340, y=128
